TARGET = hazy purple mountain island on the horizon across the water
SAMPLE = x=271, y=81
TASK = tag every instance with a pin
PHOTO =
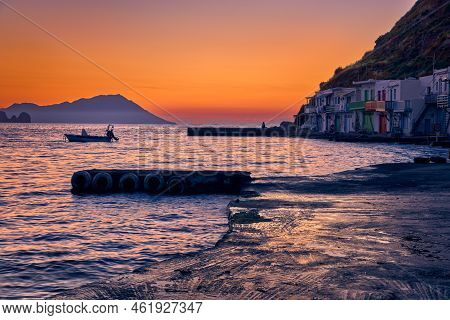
x=99, y=109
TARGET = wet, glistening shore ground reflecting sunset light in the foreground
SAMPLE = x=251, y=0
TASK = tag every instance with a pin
x=381, y=232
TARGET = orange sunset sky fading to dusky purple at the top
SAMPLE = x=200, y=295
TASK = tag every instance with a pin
x=200, y=61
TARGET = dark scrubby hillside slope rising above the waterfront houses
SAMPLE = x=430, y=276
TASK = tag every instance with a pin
x=408, y=50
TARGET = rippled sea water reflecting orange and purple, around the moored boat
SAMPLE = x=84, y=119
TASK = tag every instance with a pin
x=51, y=240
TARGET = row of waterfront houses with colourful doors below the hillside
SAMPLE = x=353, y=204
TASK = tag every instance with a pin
x=384, y=107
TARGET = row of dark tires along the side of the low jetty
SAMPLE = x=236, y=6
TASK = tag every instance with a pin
x=103, y=182
